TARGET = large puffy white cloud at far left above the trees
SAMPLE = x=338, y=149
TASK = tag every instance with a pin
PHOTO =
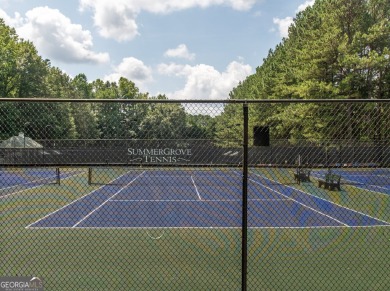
x=56, y=37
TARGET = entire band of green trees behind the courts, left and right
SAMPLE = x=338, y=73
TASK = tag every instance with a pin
x=336, y=49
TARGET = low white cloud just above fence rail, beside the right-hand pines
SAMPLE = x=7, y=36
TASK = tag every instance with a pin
x=204, y=81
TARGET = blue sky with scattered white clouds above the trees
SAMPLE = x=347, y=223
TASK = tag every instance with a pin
x=185, y=49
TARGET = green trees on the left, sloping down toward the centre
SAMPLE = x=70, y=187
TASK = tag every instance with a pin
x=24, y=74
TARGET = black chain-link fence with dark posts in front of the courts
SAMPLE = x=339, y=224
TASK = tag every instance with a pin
x=196, y=195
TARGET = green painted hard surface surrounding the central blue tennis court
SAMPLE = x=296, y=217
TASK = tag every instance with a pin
x=194, y=259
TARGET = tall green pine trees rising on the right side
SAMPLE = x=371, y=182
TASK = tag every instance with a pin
x=336, y=49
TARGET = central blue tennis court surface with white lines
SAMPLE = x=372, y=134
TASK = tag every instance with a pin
x=200, y=199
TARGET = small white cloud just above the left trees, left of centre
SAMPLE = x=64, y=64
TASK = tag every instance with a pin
x=132, y=69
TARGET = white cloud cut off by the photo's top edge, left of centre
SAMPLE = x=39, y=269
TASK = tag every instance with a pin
x=117, y=19
